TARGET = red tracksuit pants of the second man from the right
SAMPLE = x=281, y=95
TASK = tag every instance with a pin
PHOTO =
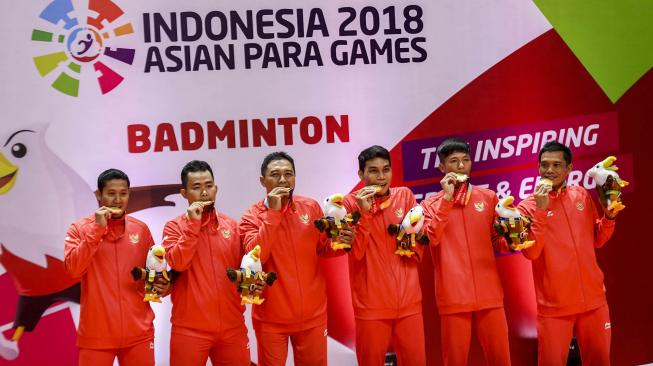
x=491, y=328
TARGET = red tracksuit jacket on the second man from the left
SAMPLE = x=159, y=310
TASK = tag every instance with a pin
x=203, y=298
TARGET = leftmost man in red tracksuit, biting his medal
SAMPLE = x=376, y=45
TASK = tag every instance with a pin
x=102, y=249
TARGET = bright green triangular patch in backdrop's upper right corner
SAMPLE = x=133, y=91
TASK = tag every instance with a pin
x=613, y=39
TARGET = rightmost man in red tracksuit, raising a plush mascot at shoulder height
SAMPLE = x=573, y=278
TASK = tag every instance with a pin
x=568, y=281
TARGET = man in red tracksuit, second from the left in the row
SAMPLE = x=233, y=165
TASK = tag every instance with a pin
x=207, y=317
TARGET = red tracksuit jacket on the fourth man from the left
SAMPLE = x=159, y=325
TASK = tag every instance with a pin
x=383, y=284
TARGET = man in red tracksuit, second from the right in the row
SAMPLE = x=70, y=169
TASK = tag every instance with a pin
x=459, y=222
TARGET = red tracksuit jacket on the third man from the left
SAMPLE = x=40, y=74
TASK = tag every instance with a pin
x=290, y=246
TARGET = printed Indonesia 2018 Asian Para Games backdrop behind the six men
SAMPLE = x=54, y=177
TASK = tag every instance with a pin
x=146, y=86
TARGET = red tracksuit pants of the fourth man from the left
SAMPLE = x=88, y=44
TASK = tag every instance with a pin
x=406, y=336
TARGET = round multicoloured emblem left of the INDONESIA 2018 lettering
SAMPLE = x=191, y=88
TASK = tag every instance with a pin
x=79, y=38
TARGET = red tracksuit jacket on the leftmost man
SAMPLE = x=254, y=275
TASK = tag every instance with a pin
x=113, y=313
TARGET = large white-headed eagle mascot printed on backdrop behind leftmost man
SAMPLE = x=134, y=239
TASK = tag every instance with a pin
x=39, y=197
